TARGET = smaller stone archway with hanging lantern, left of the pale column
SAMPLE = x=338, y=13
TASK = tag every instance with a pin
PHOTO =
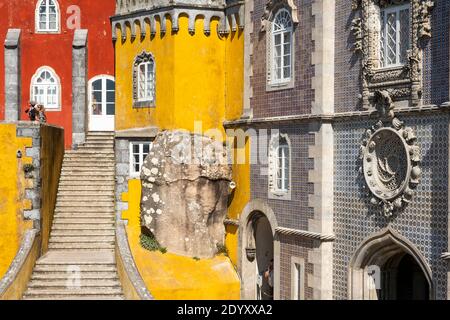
x=258, y=245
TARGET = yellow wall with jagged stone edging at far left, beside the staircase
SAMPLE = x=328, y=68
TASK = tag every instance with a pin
x=12, y=189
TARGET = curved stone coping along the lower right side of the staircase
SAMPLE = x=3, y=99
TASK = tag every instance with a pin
x=126, y=256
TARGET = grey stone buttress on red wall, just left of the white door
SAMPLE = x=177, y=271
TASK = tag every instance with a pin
x=79, y=86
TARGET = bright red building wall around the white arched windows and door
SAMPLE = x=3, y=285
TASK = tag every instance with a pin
x=55, y=50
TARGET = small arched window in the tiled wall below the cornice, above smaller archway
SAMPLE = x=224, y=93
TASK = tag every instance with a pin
x=280, y=167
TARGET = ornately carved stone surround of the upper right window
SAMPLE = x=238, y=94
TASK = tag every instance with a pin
x=404, y=83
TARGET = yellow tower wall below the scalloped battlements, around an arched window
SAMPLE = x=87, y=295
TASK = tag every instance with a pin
x=198, y=78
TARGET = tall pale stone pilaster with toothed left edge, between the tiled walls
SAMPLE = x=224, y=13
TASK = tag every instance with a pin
x=322, y=152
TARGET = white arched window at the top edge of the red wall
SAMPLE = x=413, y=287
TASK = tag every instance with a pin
x=47, y=16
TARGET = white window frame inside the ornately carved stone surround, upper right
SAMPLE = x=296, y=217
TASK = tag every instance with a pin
x=386, y=11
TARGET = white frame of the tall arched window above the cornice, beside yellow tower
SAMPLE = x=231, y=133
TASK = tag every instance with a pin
x=283, y=80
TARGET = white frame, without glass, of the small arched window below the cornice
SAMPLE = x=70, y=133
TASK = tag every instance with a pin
x=274, y=147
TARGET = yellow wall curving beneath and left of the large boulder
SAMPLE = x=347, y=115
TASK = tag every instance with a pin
x=169, y=276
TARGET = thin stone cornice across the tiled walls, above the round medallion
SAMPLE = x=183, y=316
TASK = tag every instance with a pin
x=336, y=117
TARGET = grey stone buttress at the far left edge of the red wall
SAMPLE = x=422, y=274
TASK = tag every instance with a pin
x=12, y=75
